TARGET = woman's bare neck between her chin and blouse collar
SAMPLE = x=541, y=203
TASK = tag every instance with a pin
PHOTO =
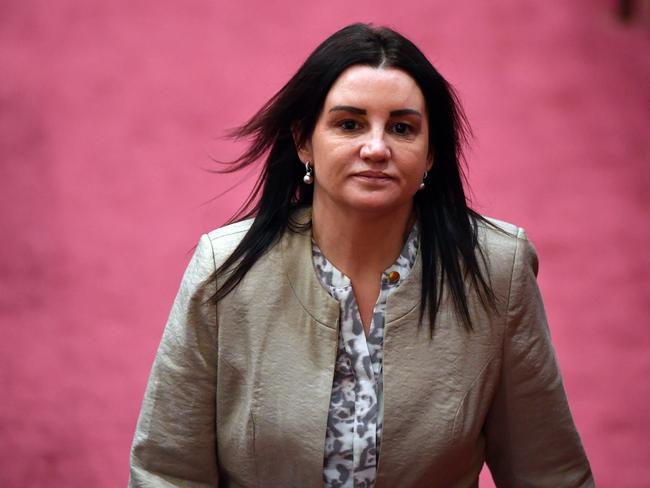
x=359, y=242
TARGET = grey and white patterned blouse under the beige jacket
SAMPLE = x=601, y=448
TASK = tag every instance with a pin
x=356, y=415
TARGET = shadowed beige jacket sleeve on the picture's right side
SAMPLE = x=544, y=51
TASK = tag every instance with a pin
x=531, y=438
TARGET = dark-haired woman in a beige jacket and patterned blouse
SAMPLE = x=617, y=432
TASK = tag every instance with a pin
x=362, y=326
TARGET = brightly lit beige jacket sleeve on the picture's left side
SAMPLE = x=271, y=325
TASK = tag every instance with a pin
x=175, y=441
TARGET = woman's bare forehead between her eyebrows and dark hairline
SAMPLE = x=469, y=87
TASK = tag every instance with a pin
x=368, y=87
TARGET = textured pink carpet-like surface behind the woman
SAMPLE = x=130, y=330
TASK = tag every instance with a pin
x=108, y=116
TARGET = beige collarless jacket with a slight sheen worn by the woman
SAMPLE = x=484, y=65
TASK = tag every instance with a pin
x=239, y=393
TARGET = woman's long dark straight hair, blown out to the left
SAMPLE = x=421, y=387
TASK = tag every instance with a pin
x=448, y=227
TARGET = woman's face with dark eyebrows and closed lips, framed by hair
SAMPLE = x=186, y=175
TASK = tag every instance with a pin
x=369, y=148
